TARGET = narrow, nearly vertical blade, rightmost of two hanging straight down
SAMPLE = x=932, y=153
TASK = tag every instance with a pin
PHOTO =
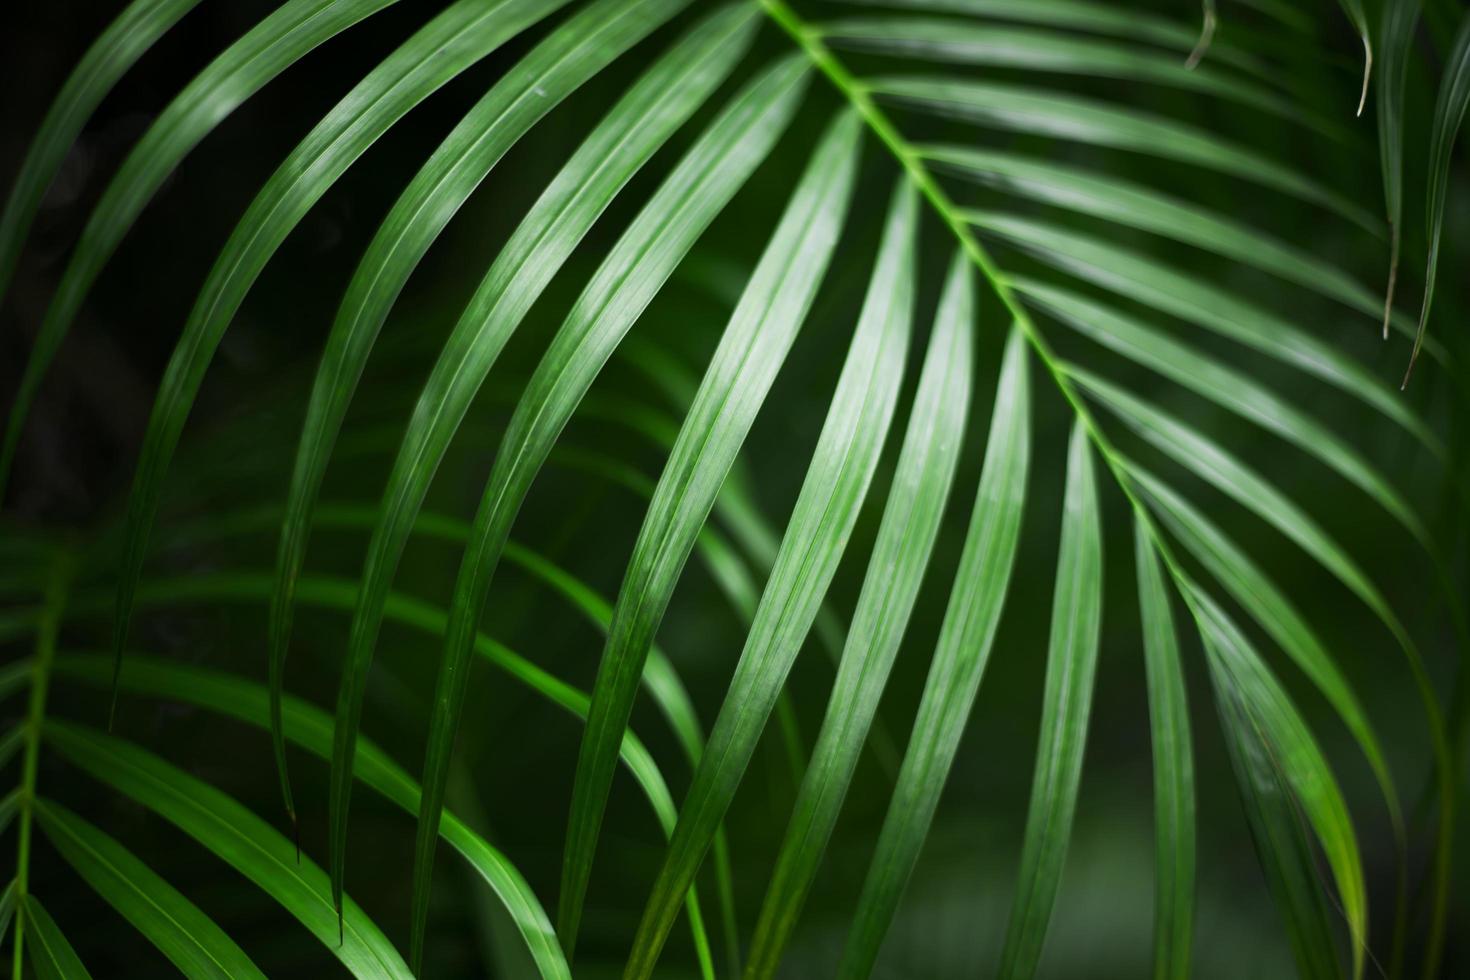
x=1174, y=771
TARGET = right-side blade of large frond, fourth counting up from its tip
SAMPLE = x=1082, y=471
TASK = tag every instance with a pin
x=1228, y=389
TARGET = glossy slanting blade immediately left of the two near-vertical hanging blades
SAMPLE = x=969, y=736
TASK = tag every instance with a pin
x=959, y=663
